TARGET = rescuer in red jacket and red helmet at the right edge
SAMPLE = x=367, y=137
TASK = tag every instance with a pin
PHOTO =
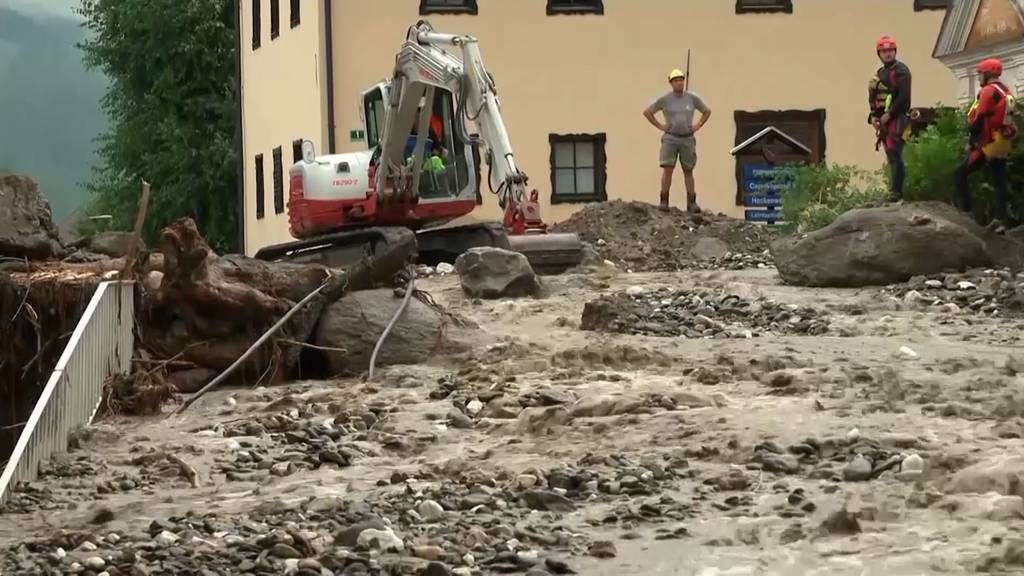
x=992, y=132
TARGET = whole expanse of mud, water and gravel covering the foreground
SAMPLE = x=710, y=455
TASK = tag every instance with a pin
x=887, y=444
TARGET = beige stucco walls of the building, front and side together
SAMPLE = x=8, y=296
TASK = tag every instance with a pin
x=595, y=74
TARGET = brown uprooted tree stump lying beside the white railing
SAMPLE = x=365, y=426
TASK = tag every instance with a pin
x=208, y=310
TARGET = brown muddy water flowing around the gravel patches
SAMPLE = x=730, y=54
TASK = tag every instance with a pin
x=741, y=501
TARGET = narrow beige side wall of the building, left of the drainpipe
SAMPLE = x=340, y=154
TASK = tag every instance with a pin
x=283, y=100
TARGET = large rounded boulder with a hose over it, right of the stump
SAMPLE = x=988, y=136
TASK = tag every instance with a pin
x=357, y=321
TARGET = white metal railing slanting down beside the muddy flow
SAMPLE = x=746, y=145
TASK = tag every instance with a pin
x=101, y=347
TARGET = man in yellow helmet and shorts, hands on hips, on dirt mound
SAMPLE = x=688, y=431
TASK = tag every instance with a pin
x=678, y=143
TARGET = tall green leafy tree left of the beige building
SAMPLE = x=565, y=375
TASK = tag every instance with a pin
x=172, y=105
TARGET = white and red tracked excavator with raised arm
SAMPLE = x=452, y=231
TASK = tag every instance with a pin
x=393, y=202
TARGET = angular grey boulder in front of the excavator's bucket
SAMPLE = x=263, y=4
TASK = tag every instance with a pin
x=495, y=273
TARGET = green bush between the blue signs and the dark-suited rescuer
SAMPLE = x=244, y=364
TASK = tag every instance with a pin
x=820, y=193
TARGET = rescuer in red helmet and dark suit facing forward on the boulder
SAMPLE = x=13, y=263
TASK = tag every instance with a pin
x=894, y=76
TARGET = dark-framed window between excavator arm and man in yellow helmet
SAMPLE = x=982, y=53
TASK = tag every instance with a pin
x=578, y=169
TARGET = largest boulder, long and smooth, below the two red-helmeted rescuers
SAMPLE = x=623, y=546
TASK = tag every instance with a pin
x=890, y=244
